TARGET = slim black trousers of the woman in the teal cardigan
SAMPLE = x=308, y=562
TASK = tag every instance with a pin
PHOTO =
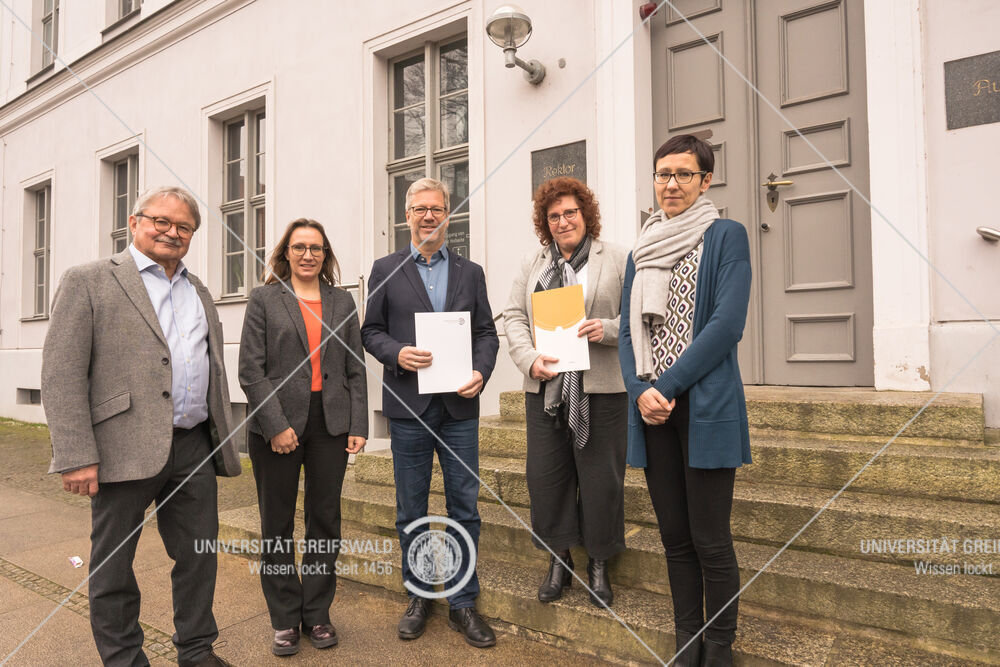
x=693, y=507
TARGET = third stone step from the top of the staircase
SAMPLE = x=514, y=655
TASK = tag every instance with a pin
x=772, y=514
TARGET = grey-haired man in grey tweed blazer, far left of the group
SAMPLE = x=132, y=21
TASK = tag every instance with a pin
x=134, y=390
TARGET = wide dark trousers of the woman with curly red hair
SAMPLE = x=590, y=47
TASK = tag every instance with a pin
x=578, y=495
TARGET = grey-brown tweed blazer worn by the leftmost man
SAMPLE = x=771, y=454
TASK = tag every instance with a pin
x=106, y=376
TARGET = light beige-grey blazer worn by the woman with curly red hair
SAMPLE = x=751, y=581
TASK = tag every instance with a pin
x=602, y=300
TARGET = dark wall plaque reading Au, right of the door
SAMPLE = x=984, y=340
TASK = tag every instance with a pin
x=972, y=90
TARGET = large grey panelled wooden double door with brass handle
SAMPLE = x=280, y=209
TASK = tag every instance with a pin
x=810, y=320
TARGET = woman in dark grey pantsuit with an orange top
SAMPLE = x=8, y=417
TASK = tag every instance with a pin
x=301, y=369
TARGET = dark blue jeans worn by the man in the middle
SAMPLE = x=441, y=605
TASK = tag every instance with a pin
x=413, y=448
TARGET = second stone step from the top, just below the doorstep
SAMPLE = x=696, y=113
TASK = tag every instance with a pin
x=969, y=473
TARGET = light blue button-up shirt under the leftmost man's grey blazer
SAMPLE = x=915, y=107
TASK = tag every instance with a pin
x=182, y=319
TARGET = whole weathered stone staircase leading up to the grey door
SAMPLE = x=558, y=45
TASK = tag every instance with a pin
x=836, y=596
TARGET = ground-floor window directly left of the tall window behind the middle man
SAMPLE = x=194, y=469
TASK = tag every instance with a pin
x=243, y=202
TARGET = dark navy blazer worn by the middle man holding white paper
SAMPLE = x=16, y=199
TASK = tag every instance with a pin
x=389, y=327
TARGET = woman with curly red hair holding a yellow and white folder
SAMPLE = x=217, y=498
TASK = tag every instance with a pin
x=576, y=421
